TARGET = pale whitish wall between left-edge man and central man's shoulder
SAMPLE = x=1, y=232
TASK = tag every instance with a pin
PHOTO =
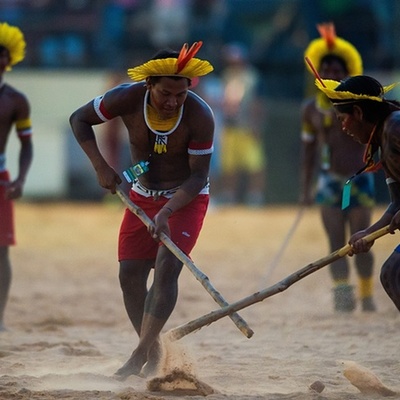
x=53, y=97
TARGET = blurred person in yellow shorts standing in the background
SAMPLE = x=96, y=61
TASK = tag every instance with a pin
x=243, y=160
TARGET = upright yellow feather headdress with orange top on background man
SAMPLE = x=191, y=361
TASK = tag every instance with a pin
x=329, y=43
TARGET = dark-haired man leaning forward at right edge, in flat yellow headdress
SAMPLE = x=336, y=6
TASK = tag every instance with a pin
x=368, y=118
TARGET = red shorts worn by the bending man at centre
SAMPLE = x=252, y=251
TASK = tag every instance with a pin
x=185, y=225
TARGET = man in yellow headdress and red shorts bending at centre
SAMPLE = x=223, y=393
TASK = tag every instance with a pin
x=171, y=132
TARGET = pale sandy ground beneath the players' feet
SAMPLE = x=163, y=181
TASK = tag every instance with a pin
x=68, y=331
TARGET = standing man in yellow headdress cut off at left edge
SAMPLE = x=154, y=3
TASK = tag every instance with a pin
x=14, y=111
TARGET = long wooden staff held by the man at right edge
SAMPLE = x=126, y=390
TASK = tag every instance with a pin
x=183, y=330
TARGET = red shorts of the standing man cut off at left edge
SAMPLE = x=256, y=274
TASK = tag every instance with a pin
x=7, y=237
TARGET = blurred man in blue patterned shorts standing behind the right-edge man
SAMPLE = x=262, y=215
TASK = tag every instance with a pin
x=336, y=157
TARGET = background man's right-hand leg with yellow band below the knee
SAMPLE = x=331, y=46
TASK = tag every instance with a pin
x=360, y=218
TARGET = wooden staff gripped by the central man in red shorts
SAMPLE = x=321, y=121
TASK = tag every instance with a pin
x=200, y=276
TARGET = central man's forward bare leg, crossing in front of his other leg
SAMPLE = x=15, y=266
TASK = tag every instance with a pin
x=159, y=304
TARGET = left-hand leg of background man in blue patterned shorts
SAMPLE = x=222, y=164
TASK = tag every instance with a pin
x=334, y=222
